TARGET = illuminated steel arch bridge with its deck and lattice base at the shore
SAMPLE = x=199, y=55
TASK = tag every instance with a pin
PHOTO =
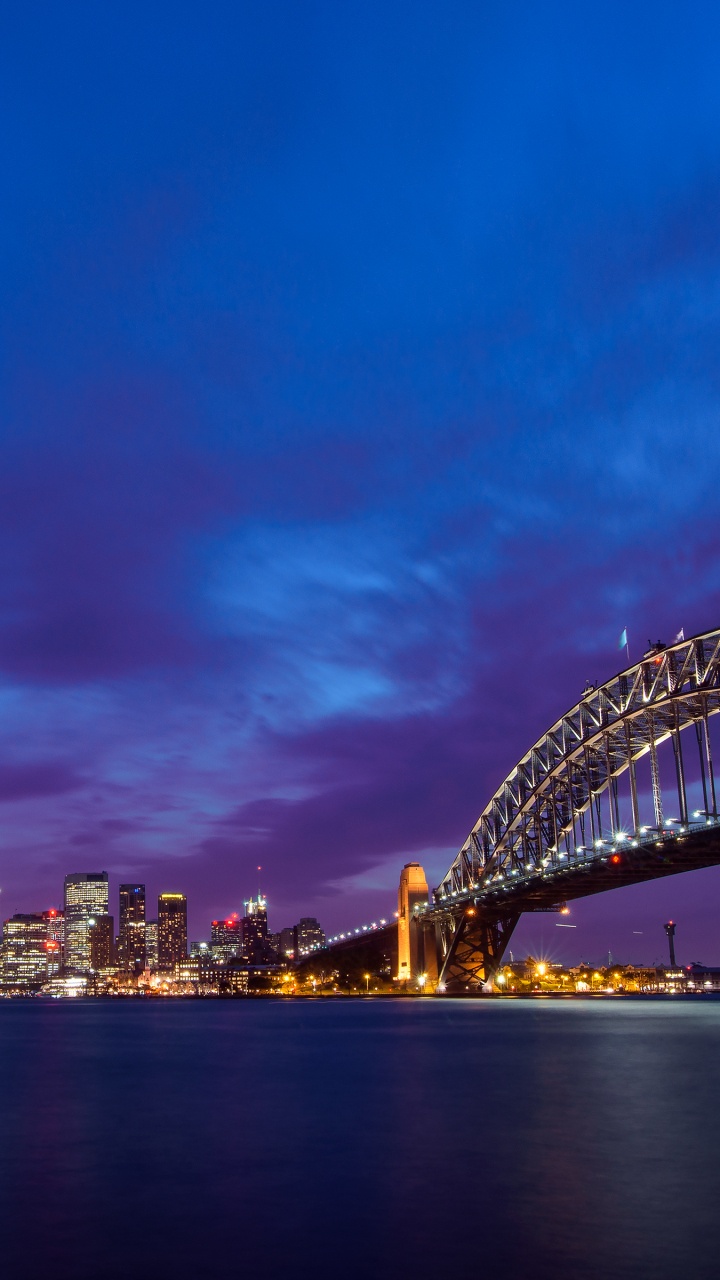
x=614, y=794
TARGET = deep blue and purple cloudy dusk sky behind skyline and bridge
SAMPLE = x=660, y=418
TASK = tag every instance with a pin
x=359, y=386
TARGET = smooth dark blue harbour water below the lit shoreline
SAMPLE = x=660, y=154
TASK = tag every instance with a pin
x=361, y=1139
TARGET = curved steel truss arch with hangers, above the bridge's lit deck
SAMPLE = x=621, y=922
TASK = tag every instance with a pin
x=550, y=807
